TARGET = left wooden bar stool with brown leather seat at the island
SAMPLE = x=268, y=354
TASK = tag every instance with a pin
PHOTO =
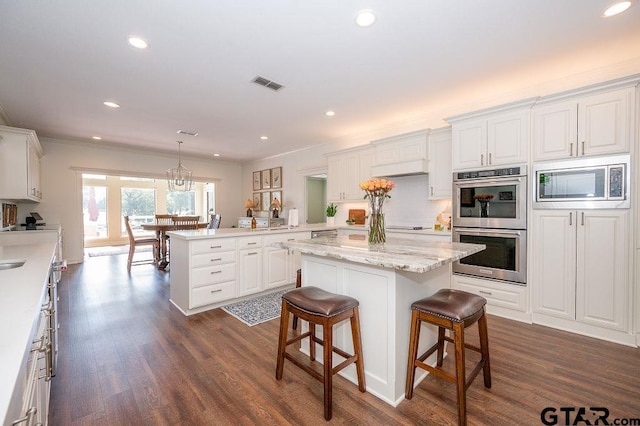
x=320, y=307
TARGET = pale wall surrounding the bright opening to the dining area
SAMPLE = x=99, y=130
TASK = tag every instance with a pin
x=62, y=189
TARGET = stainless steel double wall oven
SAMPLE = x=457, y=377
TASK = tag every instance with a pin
x=490, y=208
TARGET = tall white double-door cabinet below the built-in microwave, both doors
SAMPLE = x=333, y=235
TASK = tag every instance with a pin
x=580, y=268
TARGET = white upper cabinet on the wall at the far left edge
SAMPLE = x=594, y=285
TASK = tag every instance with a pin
x=20, y=154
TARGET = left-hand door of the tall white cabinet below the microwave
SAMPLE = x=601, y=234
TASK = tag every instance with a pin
x=553, y=276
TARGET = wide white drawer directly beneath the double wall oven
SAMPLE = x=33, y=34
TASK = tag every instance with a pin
x=497, y=294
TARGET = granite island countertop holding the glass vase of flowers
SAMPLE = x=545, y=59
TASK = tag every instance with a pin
x=396, y=253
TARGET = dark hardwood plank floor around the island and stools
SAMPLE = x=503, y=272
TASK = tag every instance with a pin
x=128, y=357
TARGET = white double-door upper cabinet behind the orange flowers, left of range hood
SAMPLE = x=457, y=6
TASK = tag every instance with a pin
x=345, y=170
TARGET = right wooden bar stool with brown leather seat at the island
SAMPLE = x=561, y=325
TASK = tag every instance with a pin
x=454, y=310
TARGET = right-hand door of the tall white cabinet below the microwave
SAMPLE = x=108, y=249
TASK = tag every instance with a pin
x=602, y=269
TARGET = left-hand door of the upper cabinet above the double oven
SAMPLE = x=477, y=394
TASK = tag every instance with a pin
x=469, y=144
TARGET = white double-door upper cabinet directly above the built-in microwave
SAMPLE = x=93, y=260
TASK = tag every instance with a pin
x=595, y=124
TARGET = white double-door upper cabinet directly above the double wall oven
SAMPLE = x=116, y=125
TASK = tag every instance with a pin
x=492, y=137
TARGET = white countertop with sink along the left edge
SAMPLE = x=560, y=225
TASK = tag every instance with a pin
x=21, y=292
